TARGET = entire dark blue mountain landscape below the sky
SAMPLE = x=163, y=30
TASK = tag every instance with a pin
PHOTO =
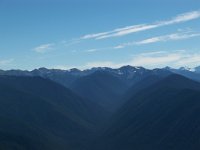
x=100, y=109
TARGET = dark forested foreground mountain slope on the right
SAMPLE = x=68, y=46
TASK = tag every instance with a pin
x=164, y=116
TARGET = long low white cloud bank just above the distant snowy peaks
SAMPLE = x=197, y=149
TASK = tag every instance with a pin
x=154, y=59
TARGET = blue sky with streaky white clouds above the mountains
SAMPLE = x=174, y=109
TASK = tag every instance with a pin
x=64, y=34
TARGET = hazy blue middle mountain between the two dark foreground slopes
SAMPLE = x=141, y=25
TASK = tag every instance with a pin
x=101, y=88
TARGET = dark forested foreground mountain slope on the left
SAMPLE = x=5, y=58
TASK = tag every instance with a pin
x=37, y=113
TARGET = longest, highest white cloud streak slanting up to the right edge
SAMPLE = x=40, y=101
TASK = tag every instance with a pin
x=142, y=27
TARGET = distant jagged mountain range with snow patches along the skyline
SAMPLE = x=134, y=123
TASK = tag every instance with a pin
x=127, y=73
